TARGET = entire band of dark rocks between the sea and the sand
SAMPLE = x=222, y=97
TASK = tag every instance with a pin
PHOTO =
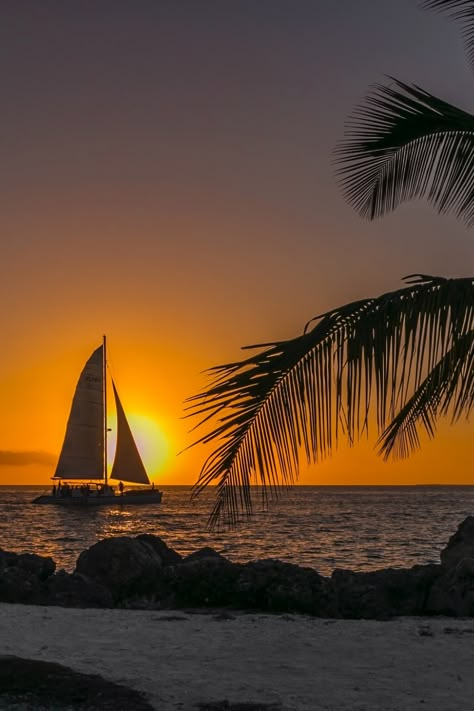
x=145, y=573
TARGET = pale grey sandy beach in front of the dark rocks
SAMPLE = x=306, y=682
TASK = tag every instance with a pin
x=181, y=659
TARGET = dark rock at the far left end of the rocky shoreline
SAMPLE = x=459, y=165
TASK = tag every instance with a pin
x=22, y=576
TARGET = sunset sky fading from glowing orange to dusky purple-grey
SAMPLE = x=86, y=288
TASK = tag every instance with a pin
x=167, y=179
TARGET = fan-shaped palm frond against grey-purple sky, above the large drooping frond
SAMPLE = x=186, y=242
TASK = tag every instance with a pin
x=404, y=143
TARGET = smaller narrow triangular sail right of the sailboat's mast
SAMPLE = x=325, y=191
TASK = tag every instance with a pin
x=127, y=465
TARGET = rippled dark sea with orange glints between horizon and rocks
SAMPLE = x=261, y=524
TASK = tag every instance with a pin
x=361, y=528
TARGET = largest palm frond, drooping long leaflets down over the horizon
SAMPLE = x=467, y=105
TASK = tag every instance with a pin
x=297, y=397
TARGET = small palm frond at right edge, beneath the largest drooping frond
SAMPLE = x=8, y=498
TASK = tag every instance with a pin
x=450, y=383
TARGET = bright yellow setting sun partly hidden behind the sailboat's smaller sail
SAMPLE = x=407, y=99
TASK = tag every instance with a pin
x=151, y=442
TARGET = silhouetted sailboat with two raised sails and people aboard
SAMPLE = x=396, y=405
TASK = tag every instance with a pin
x=81, y=477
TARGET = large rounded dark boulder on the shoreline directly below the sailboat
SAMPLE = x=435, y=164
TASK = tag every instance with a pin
x=127, y=567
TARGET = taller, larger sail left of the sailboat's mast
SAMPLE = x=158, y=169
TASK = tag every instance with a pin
x=82, y=453
